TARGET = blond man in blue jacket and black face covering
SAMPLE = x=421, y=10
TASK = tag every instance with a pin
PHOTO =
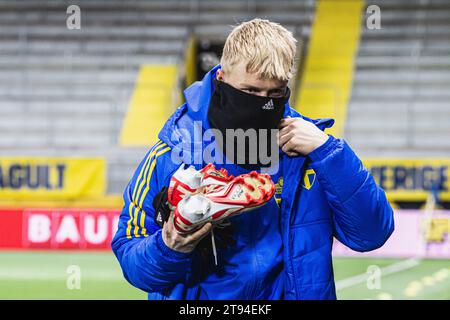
x=281, y=250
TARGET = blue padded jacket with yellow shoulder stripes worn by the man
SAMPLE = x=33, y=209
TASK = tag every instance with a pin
x=279, y=252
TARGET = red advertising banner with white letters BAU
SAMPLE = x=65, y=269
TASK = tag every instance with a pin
x=57, y=228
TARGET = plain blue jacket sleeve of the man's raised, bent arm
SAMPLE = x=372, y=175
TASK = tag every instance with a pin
x=363, y=218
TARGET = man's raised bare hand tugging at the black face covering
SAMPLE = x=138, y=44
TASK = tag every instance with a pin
x=299, y=137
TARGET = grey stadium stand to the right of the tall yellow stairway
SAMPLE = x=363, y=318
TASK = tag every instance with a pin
x=400, y=102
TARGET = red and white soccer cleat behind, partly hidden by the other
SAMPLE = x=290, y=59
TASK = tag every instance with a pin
x=189, y=181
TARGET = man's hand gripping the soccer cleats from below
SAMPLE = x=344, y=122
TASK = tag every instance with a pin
x=181, y=242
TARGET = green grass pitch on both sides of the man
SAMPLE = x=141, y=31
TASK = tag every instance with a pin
x=53, y=275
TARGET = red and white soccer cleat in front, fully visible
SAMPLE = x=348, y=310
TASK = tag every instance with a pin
x=243, y=193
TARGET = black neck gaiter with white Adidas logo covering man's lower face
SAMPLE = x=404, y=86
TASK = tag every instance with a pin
x=231, y=108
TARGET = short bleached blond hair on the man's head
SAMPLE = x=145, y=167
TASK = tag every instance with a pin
x=267, y=48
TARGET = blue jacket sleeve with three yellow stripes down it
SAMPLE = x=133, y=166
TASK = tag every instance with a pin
x=147, y=263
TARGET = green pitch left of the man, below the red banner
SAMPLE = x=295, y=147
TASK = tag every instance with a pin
x=49, y=275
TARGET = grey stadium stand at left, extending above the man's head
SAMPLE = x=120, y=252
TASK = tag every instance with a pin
x=65, y=92
